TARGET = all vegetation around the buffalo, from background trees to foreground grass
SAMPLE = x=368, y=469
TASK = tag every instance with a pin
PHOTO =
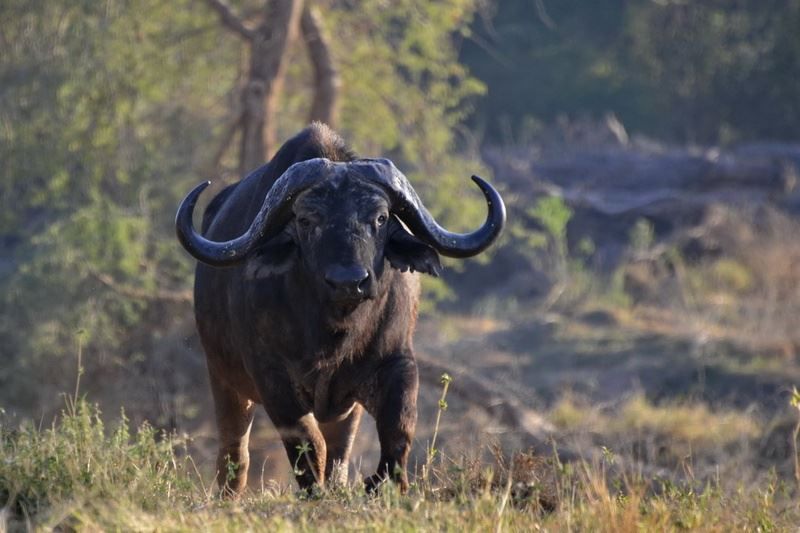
x=623, y=360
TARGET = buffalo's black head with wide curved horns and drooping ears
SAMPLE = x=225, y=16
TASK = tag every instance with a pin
x=339, y=223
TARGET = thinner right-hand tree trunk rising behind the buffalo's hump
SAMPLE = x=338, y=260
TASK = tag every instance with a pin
x=327, y=81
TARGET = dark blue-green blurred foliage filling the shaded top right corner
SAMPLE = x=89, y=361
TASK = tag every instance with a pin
x=706, y=72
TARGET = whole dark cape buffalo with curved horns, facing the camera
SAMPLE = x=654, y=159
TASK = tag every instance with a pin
x=306, y=300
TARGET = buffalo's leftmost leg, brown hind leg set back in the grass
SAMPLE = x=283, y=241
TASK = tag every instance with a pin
x=234, y=420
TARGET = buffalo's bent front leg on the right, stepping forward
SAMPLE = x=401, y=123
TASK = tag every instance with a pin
x=396, y=419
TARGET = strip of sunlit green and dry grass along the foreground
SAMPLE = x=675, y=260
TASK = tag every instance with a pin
x=80, y=474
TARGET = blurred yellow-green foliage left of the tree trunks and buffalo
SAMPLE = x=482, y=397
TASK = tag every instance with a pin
x=103, y=123
